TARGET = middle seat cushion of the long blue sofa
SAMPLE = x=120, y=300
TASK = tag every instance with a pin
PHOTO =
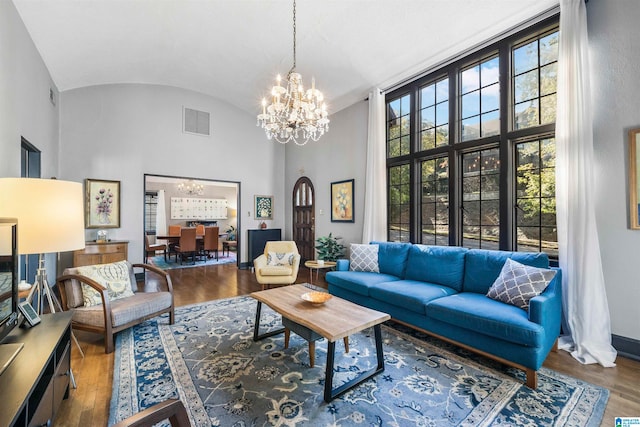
x=409, y=294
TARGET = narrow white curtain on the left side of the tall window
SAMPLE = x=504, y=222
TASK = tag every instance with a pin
x=375, y=195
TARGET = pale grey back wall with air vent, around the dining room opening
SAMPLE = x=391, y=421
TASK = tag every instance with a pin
x=120, y=132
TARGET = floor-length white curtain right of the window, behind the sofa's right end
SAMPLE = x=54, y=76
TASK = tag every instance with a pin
x=586, y=312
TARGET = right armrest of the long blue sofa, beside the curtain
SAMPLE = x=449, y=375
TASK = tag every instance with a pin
x=546, y=308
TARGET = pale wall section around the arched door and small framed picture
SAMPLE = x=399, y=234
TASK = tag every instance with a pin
x=339, y=155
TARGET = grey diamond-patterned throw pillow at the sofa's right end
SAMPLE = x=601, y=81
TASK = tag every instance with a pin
x=518, y=283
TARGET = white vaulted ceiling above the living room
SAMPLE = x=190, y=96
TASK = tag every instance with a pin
x=232, y=49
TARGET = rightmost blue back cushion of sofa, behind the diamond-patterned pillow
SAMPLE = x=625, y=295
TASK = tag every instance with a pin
x=482, y=267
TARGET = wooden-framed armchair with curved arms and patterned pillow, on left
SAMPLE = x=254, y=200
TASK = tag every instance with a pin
x=105, y=298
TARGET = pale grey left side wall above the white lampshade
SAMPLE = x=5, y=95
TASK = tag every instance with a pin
x=25, y=109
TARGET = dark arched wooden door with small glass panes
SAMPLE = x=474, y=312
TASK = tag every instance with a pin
x=304, y=218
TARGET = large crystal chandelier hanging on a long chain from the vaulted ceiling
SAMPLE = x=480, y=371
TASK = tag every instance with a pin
x=293, y=114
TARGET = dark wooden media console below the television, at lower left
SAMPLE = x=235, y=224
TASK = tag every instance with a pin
x=34, y=384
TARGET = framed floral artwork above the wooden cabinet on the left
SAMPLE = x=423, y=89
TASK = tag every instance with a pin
x=102, y=203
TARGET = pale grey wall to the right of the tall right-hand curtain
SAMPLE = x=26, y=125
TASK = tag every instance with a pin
x=614, y=39
